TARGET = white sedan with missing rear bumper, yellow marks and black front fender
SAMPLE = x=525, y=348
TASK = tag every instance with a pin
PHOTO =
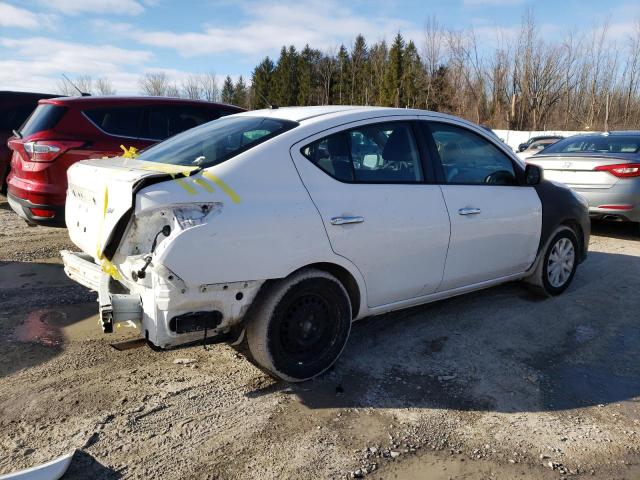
x=278, y=228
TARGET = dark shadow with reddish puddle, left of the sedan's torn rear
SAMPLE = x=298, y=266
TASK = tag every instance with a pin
x=39, y=308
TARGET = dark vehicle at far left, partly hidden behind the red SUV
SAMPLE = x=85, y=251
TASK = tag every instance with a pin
x=15, y=107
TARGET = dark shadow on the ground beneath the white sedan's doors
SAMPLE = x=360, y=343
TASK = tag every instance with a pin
x=502, y=349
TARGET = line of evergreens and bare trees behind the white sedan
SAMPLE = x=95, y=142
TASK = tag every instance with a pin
x=525, y=83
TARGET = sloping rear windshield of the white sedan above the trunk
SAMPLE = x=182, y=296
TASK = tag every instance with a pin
x=217, y=141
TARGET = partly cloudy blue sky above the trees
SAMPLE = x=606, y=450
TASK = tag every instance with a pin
x=122, y=39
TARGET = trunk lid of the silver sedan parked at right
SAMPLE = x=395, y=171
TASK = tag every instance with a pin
x=579, y=171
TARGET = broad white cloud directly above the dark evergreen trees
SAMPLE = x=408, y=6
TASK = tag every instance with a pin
x=269, y=25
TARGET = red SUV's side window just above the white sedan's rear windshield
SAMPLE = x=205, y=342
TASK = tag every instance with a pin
x=165, y=122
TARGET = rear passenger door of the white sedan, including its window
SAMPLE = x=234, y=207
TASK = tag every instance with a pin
x=367, y=182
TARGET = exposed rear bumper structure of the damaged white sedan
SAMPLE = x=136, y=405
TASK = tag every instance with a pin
x=166, y=314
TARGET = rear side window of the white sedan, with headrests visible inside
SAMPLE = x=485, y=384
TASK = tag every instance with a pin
x=379, y=153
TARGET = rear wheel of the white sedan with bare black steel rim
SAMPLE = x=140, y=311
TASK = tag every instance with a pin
x=301, y=326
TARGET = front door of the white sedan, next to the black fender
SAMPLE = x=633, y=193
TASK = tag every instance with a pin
x=495, y=223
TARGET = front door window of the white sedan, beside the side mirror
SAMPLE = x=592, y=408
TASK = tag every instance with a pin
x=468, y=158
